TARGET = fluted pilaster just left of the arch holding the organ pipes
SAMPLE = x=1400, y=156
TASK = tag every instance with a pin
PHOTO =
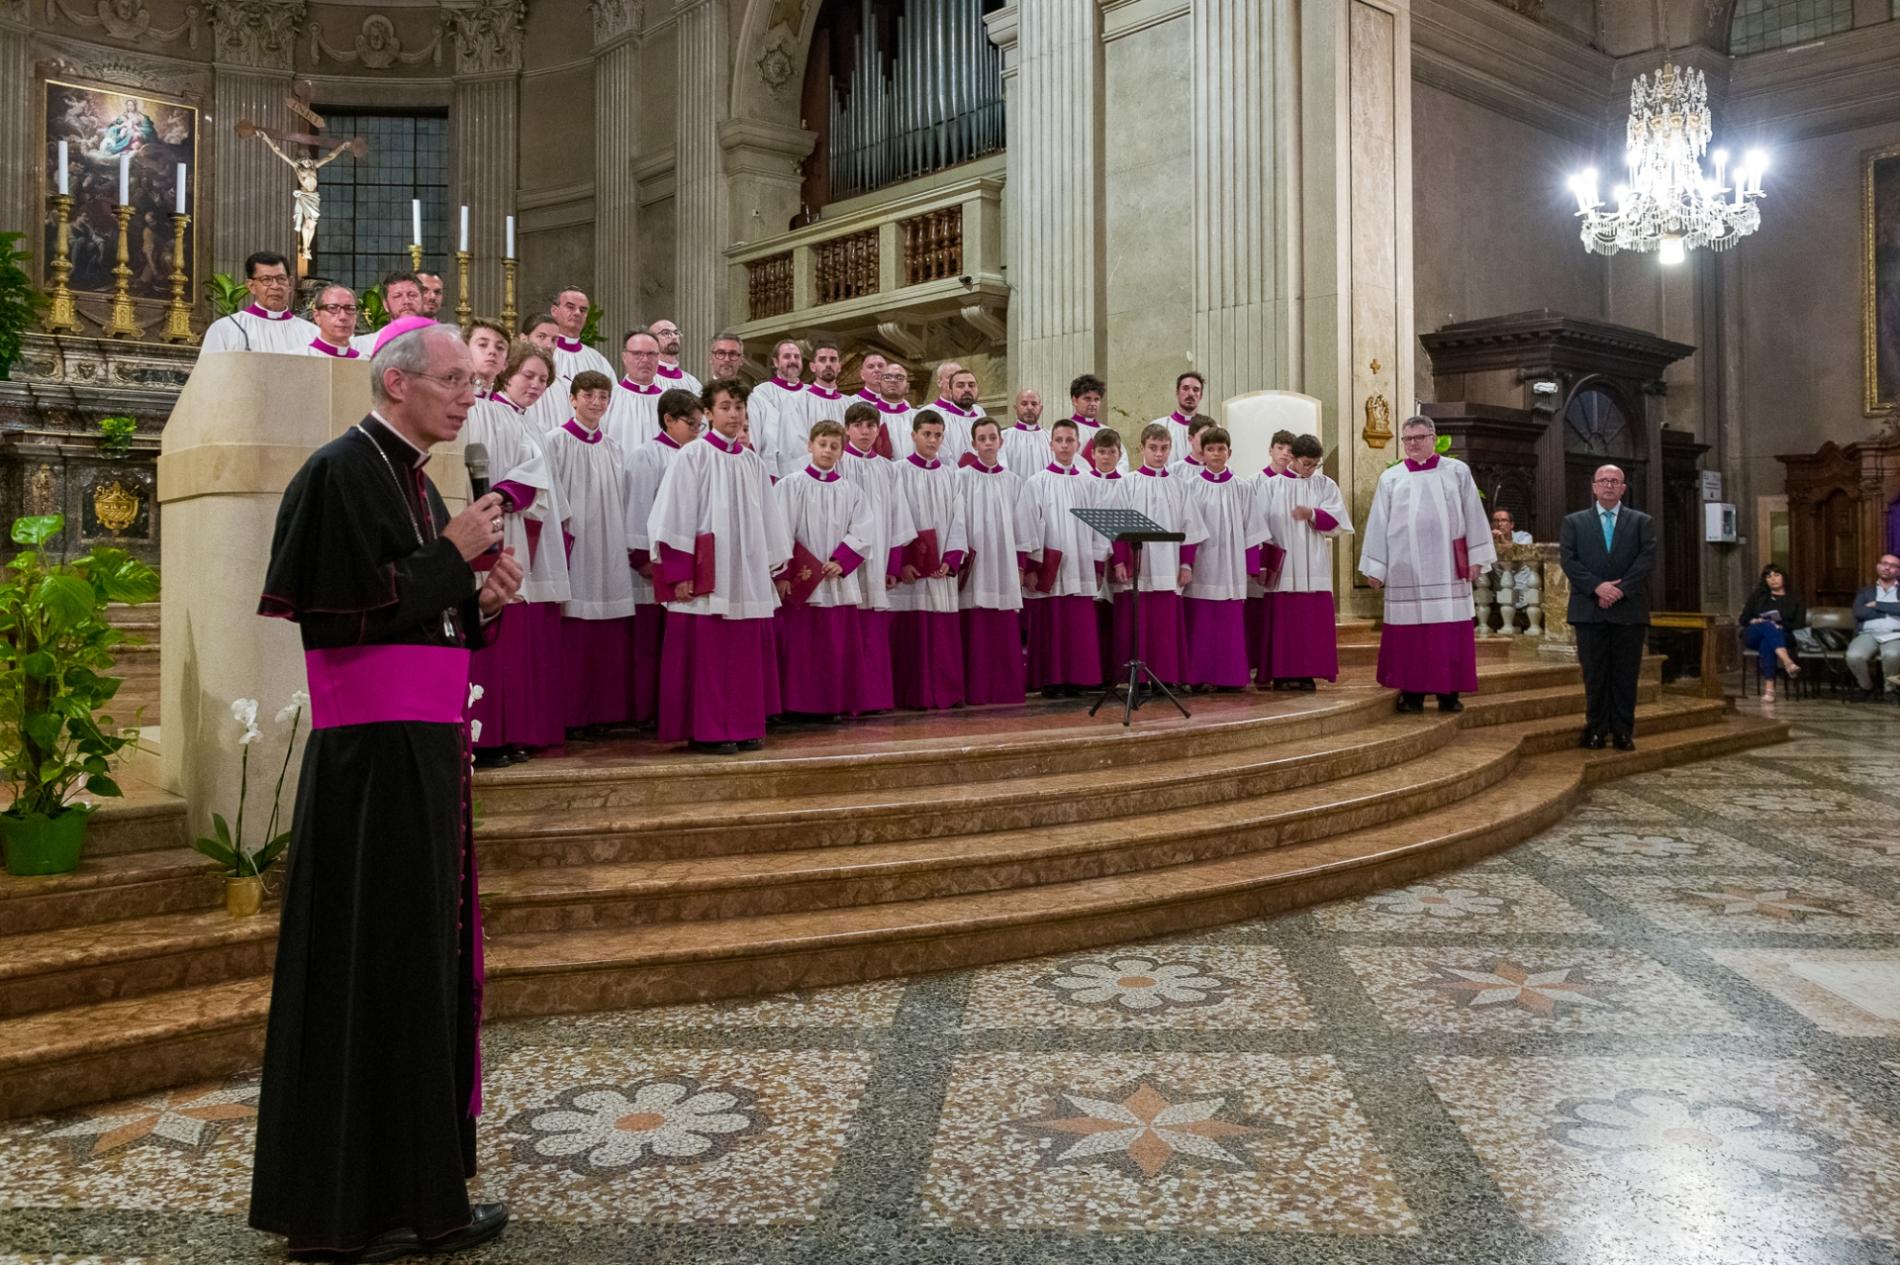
x=700, y=288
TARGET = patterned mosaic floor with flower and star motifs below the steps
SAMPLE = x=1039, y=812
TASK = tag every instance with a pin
x=1660, y=1034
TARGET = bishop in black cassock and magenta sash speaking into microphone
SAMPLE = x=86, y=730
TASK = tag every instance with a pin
x=373, y=1055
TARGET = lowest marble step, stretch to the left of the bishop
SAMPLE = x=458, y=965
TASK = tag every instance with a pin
x=115, y=1049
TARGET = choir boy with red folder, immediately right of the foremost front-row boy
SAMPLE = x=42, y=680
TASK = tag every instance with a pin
x=835, y=535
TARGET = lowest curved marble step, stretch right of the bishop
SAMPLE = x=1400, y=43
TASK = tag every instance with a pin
x=571, y=972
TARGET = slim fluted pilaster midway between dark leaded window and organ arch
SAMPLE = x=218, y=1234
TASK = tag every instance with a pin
x=617, y=191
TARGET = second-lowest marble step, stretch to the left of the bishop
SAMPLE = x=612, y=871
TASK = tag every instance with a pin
x=130, y=958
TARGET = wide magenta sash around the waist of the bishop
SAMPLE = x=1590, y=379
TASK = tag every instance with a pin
x=370, y=685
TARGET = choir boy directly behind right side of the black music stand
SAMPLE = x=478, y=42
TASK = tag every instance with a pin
x=1166, y=569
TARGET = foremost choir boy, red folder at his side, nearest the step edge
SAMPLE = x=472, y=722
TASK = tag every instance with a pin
x=721, y=538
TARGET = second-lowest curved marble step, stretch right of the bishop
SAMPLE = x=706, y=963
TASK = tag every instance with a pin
x=829, y=878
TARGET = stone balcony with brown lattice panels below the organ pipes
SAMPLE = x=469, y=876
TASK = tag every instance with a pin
x=913, y=259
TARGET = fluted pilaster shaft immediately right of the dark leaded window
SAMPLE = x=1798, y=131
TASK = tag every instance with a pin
x=484, y=136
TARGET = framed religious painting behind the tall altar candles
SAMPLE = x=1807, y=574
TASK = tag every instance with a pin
x=104, y=124
